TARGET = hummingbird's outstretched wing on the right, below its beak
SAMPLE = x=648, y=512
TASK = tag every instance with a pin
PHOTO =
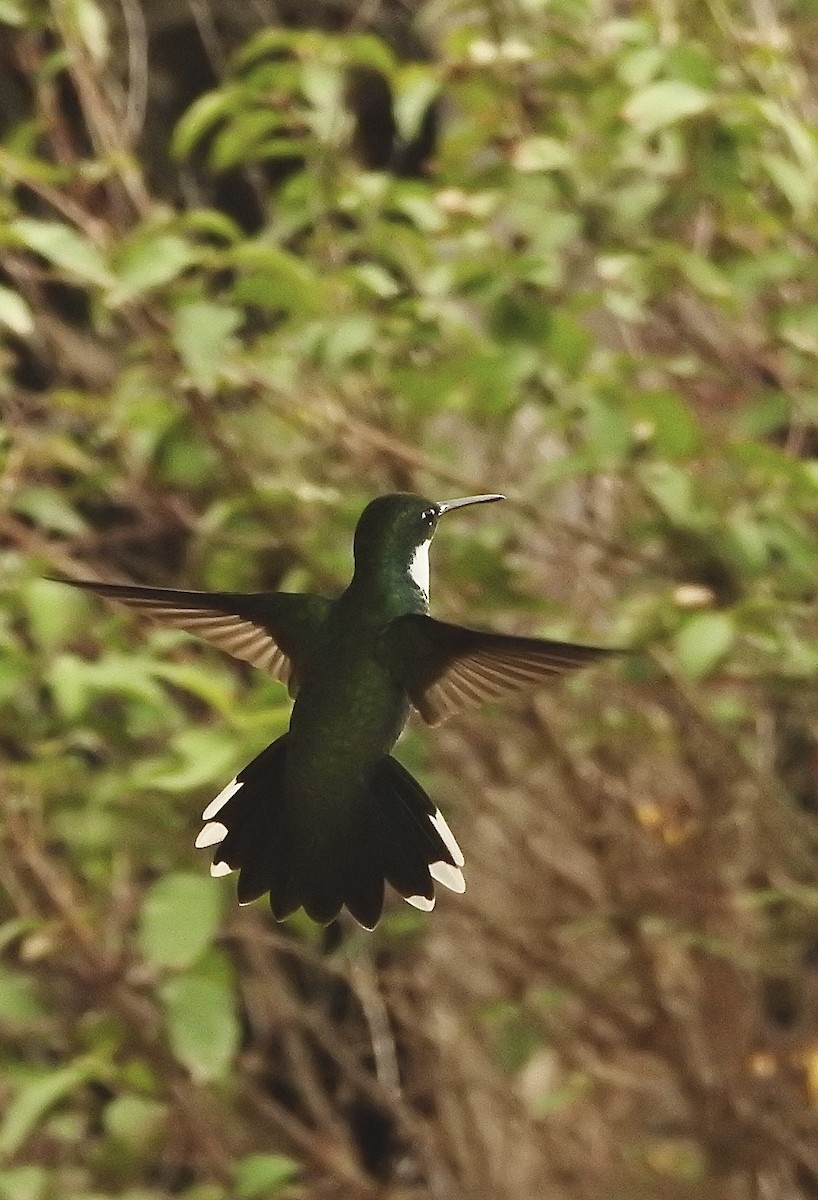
x=448, y=669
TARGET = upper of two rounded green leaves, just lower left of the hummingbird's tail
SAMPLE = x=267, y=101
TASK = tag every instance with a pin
x=181, y=917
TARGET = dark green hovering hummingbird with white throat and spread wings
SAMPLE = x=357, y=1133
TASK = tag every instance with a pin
x=326, y=815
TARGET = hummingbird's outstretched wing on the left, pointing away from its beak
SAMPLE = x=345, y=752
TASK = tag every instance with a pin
x=274, y=631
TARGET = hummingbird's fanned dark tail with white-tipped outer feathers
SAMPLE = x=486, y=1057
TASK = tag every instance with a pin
x=393, y=833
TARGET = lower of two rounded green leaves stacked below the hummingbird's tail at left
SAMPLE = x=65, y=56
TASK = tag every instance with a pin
x=202, y=1024
